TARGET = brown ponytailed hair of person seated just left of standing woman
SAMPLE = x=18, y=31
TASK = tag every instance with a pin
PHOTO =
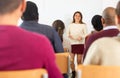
x=59, y=27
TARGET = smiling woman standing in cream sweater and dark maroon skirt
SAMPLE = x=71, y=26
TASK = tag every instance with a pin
x=76, y=33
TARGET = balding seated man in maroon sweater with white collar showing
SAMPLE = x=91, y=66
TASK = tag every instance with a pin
x=110, y=28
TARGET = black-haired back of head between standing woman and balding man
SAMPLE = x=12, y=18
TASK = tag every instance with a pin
x=97, y=23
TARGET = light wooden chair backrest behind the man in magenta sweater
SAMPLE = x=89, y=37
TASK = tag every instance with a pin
x=32, y=73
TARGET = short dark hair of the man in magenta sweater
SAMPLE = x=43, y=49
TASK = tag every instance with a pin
x=7, y=6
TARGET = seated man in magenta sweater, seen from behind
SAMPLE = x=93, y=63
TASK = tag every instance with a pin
x=21, y=49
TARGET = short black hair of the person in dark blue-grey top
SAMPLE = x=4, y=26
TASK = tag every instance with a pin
x=31, y=12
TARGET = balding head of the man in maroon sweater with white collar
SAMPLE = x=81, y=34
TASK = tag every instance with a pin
x=109, y=16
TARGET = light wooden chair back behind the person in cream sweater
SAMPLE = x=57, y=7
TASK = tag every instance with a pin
x=94, y=71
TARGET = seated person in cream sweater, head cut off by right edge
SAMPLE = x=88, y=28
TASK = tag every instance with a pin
x=105, y=51
